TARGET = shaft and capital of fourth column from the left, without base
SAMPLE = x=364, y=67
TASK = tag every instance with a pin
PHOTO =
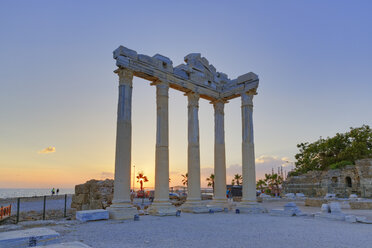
x=219, y=153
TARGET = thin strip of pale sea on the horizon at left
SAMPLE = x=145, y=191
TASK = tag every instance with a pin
x=30, y=192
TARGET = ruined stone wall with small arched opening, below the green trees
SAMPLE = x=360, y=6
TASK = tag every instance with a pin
x=352, y=179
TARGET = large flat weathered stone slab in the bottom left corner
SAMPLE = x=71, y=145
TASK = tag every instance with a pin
x=28, y=238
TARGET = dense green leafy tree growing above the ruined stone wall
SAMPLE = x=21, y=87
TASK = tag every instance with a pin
x=337, y=151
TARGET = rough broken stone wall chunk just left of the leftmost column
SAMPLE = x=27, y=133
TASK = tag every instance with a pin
x=93, y=194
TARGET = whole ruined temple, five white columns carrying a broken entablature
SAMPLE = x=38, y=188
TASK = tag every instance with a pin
x=197, y=78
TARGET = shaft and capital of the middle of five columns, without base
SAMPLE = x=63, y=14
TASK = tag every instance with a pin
x=193, y=155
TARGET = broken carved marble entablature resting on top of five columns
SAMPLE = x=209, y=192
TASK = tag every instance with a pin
x=196, y=75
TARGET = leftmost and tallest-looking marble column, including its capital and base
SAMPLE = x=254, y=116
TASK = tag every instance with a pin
x=121, y=207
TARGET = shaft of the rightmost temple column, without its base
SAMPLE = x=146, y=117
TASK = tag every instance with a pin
x=248, y=158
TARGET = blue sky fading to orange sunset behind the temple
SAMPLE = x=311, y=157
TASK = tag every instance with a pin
x=58, y=94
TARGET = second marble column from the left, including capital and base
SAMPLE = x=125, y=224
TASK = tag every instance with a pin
x=161, y=204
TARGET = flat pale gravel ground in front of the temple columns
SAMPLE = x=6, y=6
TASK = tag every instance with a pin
x=219, y=230
